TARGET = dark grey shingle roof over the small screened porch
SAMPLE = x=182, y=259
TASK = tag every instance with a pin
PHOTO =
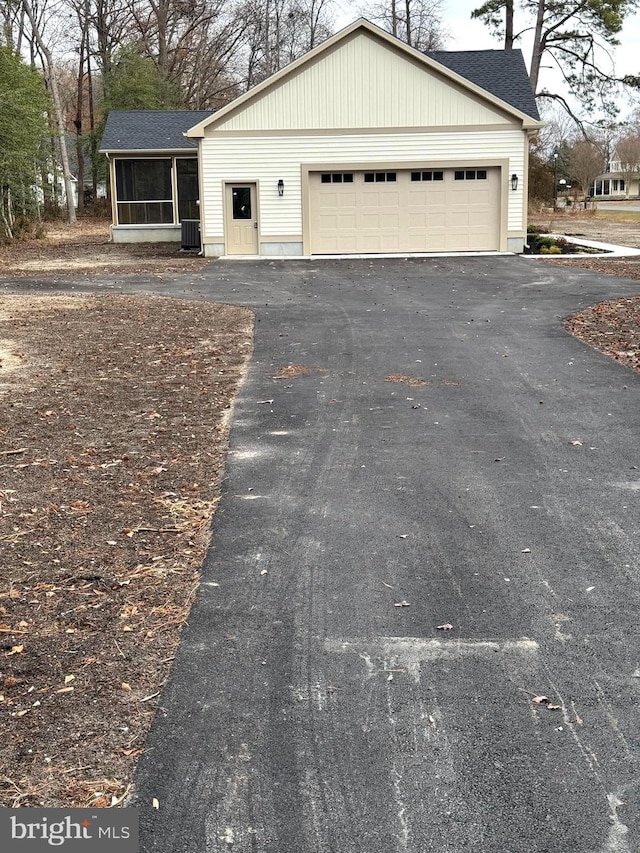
x=150, y=130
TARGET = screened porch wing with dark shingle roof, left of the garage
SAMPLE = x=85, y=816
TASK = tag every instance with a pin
x=153, y=173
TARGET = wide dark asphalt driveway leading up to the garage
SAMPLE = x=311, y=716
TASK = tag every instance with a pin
x=492, y=485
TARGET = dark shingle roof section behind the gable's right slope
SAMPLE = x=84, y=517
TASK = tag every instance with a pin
x=501, y=72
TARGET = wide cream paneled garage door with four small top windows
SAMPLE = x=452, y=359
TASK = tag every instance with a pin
x=431, y=210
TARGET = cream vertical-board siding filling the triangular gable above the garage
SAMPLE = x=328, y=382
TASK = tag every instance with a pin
x=361, y=83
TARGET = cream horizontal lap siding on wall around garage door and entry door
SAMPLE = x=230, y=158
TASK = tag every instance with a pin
x=267, y=159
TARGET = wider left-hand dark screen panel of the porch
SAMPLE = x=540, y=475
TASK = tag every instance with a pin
x=143, y=192
